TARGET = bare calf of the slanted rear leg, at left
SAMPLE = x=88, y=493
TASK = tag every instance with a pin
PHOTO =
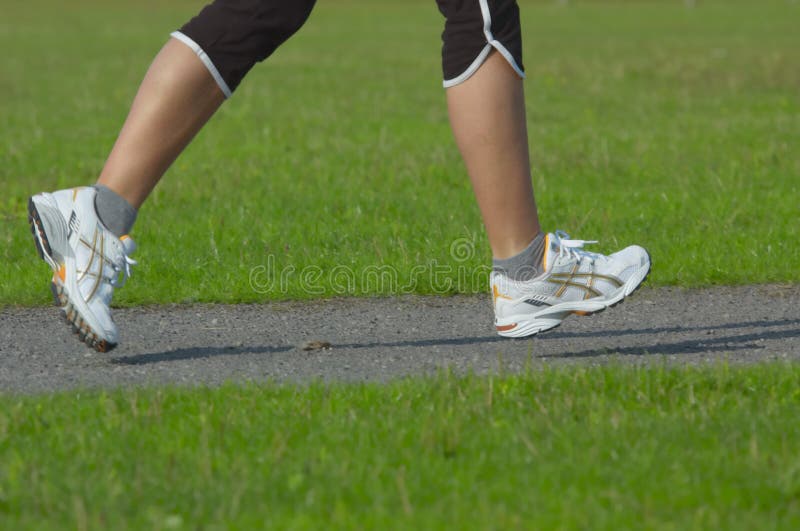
x=176, y=98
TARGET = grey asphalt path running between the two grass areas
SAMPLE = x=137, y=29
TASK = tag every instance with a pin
x=379, y=339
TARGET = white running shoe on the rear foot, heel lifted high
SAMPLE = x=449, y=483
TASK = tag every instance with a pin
x=88, y=261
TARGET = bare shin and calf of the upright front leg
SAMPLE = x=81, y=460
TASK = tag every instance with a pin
x=487, y=114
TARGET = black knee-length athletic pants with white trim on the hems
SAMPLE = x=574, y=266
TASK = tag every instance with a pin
x=230, y=36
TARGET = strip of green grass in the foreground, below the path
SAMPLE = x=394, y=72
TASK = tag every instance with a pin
x=615, y=447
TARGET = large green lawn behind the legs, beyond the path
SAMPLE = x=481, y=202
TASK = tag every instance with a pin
x=650, y=123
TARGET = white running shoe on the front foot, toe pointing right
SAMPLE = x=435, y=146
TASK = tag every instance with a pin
x=574, y=281
